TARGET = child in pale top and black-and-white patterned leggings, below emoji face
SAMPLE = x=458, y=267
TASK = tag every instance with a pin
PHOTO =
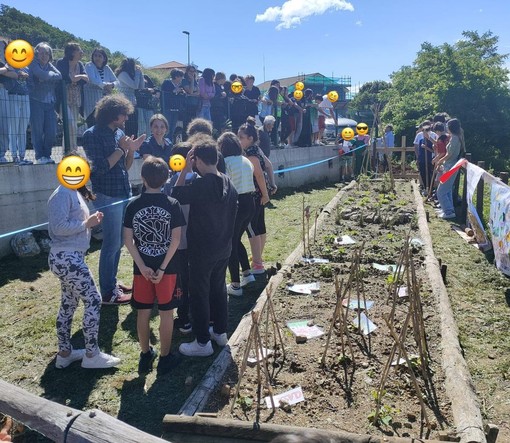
x=69, y=228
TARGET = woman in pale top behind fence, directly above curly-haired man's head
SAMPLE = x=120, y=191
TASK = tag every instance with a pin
x=101, y=82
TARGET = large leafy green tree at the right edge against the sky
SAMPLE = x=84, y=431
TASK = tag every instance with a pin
x=468, y=80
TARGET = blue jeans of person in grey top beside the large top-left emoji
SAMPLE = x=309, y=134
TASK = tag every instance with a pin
x=43, y=123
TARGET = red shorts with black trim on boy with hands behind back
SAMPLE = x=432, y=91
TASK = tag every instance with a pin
x=167, y=293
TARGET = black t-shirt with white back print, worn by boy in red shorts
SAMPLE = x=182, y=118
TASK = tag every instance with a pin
x=152, y=218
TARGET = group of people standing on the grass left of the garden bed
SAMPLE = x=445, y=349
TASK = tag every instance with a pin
x=183, y=231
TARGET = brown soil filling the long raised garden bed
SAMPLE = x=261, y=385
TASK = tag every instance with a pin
x=342, y=394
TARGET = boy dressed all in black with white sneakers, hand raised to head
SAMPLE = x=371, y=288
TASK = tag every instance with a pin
x=213, y=206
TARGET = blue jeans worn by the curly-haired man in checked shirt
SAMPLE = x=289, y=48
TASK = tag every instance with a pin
x=112, y=240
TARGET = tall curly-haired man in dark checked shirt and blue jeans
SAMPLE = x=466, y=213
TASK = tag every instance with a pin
x=111, y=153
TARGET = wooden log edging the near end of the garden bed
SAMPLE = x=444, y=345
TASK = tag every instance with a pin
x=245, y=430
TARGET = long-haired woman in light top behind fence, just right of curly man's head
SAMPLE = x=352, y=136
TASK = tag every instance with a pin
x=130, y=78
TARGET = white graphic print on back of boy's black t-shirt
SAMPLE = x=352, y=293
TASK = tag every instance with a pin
x=151, y=226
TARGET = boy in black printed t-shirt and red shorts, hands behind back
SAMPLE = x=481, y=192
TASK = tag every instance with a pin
x=152, y=231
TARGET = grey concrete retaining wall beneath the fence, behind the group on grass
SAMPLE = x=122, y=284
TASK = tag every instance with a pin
x=24, y=190
